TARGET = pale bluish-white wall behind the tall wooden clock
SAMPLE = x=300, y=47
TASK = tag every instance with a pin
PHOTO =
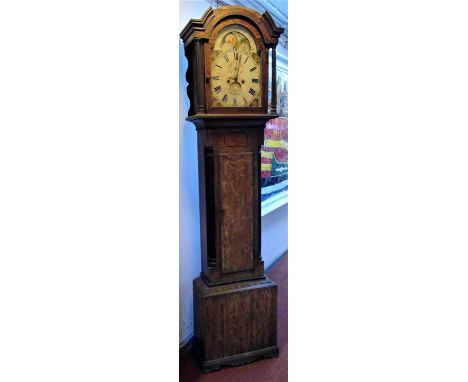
x=274, y=224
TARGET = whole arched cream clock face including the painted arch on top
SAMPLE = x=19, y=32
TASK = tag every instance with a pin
x=235, y=69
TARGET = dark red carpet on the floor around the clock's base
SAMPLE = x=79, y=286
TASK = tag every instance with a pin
x=267, y=370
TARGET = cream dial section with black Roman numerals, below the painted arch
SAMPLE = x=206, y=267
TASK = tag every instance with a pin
x=235, y=80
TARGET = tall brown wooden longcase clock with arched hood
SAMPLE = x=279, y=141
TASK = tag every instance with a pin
x=234, y=302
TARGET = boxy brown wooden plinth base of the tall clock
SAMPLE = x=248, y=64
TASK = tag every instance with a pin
x=235, y=323
